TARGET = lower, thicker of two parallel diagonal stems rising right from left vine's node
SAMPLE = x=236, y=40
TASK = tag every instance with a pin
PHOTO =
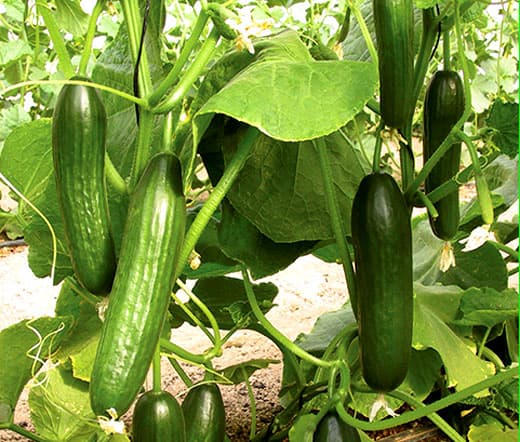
x=191, y=74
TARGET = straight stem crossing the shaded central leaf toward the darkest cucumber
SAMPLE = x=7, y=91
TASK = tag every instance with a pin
x=336, y=221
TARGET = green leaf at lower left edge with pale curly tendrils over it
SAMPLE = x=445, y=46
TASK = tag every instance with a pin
x=24, y=347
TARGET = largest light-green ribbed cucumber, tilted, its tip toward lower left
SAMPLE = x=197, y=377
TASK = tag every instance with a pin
x=150, y=247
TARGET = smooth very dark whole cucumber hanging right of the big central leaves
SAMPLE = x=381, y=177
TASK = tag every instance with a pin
x=382, y=239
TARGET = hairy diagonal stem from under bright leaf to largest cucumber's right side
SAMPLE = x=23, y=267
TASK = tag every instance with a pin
x=216, y=196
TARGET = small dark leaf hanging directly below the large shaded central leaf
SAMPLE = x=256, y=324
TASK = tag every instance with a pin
x=242, y=241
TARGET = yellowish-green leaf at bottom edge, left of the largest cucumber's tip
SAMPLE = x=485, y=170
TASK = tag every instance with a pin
x=60, y=407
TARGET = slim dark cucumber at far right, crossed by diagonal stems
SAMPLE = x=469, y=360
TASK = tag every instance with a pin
x=443, y=107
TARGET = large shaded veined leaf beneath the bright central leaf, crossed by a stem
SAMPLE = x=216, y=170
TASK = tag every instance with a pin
x=280, y=188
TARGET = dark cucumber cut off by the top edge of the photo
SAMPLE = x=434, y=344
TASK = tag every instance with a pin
x=394, y=26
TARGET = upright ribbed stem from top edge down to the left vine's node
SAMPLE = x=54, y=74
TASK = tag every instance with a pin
x=134, y=26
